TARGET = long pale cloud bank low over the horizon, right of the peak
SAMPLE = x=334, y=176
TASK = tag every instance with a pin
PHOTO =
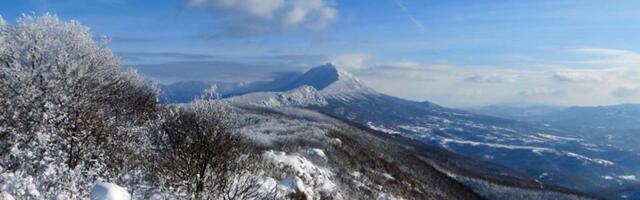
x=563, y=84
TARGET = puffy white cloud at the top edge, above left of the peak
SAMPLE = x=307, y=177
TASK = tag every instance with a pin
x=252, y=17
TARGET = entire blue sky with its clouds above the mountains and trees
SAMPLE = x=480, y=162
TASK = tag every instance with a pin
x=455, y=53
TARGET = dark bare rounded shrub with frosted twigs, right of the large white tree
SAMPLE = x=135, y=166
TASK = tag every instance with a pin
x=197, y=156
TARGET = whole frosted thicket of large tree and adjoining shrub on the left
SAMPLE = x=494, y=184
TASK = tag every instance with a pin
x=72, y=118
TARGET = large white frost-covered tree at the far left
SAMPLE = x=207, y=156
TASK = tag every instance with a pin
x=67, y=104
